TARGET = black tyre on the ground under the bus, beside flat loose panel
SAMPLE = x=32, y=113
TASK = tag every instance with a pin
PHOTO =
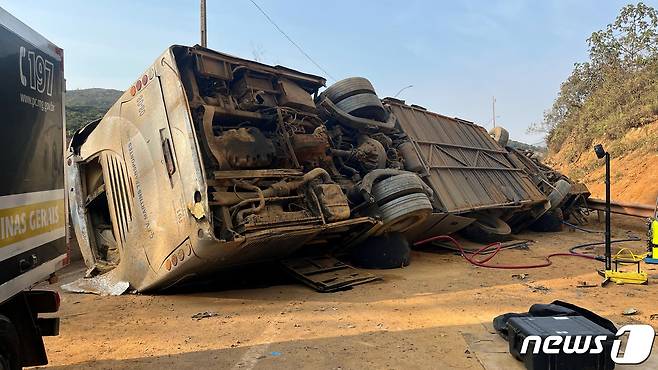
x=382, y=252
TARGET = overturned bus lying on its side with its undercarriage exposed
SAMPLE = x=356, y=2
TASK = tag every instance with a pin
x=209, y=161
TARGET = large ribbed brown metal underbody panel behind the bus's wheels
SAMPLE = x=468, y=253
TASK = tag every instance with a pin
x=467, y=170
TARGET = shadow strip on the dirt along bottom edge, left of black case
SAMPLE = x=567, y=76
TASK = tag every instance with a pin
x=421, y=349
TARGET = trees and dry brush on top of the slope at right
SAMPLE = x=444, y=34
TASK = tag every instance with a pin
x=614, y=91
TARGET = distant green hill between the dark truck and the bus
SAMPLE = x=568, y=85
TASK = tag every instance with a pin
x=85, y=105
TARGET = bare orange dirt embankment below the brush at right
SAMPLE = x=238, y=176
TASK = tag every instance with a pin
x=634, y=165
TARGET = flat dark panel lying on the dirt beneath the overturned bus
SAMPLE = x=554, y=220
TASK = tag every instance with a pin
x=326, y=274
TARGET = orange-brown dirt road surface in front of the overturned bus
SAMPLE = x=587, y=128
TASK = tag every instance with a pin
x=436, y=313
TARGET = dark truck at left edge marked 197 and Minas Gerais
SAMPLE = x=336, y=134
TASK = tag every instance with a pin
x=33, y=219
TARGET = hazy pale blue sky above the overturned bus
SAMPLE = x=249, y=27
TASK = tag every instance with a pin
x=457, y=55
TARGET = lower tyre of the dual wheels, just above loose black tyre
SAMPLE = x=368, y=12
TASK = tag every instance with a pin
x=400, y=214
